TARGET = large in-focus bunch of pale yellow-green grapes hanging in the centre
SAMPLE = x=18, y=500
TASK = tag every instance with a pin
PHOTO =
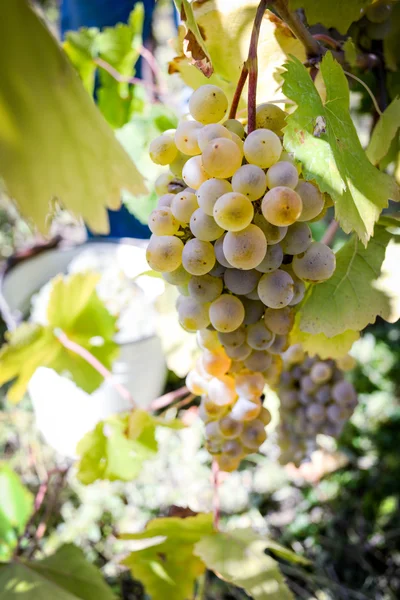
x=230, y=231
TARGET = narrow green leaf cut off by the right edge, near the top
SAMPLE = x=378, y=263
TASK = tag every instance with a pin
x=384, y=132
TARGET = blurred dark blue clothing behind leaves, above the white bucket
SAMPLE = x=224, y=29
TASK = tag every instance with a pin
x=107, y=13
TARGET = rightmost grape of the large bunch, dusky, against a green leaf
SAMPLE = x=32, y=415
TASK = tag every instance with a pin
x=317, y=263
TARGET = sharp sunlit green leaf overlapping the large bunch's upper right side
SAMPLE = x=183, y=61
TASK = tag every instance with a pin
x=334, y=159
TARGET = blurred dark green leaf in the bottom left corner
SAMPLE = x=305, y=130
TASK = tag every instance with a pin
x=66, y=575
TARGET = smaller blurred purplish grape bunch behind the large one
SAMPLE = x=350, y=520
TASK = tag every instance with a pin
x=315, y=398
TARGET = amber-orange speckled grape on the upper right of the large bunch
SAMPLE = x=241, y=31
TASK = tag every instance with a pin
x=281, y=206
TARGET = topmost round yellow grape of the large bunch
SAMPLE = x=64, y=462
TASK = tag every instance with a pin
x=208, y=104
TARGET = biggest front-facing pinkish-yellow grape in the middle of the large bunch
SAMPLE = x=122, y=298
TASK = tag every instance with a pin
x=245, y=249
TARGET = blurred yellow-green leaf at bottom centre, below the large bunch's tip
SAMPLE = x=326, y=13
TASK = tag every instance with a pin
x=169, y=567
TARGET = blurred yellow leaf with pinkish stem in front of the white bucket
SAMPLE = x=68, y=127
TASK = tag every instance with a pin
x=74, y=308
